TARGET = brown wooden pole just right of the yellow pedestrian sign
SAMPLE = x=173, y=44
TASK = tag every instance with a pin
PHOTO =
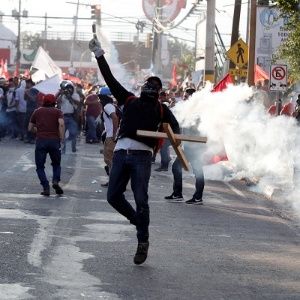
x=252, y=37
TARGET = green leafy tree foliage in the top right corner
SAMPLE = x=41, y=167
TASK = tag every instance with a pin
x=290, y=50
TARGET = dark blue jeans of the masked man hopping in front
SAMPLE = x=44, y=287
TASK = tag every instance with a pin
x=135, y=166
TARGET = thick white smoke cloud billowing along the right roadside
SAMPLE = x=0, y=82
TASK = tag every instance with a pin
x=259, y=146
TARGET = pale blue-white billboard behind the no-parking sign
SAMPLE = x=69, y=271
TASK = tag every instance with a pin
x=270, y=34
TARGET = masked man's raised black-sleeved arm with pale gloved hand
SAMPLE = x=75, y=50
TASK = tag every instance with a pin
x=118, y=91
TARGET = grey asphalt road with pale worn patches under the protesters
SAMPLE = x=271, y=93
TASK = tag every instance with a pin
x=238, y=245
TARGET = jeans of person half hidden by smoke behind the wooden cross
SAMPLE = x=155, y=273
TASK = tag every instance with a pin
x=177, y=174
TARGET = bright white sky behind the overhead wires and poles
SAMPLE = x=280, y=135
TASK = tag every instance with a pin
x=117, y=16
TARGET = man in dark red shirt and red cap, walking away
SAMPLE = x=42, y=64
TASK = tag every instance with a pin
x=48, y=124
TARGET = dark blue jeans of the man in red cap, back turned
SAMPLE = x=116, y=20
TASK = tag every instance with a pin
x=42, y=148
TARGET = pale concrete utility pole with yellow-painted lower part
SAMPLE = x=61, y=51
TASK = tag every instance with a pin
x=209, y=73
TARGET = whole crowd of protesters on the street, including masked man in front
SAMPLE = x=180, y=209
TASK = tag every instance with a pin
x=110, y=114
